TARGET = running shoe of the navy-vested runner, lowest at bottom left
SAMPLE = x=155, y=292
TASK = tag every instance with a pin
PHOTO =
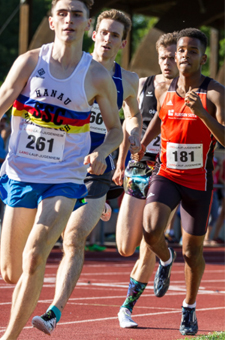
x=45, y=323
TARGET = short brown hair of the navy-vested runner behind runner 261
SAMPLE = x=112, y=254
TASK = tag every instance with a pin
x=119, y=16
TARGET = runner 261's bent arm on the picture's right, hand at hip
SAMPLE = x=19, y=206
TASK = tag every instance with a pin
x=100, y=86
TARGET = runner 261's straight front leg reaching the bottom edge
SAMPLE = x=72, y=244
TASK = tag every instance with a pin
x=47, y=228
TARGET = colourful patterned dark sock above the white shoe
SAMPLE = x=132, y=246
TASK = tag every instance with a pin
x=135, y=290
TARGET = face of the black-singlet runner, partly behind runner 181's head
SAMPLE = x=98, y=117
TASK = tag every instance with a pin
x=166, y=58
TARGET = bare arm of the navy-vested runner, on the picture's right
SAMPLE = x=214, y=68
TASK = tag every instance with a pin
x=131, y=111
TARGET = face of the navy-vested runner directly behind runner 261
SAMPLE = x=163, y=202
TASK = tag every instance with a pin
x=108, y=38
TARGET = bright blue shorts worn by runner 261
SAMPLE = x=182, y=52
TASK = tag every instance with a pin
x=29, y=195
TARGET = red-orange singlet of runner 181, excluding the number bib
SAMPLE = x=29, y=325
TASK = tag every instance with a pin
x=180, y=125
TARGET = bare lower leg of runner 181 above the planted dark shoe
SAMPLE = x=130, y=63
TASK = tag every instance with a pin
x=194, y=264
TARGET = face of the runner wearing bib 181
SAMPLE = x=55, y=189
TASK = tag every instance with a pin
x=190, y=55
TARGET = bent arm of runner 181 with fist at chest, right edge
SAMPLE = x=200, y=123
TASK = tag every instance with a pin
x=214, y=122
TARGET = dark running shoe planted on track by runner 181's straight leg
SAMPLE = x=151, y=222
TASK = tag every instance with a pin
x=189, y=323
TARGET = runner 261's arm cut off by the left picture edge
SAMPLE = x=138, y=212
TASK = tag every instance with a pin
x=16, y=79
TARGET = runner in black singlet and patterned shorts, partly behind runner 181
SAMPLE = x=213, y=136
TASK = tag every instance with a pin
x=129, y=223
